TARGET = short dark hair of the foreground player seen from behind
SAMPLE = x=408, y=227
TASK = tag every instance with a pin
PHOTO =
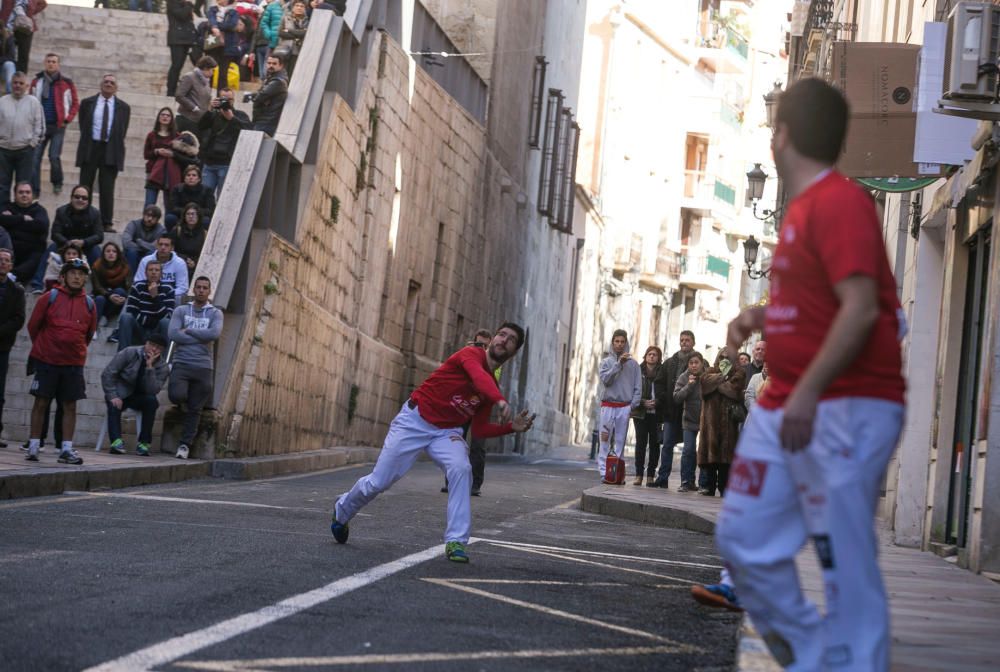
x=815, y=114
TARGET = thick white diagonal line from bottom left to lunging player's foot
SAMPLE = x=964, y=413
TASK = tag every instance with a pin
x=178, y=647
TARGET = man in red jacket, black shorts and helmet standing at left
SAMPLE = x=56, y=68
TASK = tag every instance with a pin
x=61, y=326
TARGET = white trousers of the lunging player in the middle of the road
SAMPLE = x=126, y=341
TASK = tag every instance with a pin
x=409, y=434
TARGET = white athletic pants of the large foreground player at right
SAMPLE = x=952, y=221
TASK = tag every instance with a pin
x=775, y=500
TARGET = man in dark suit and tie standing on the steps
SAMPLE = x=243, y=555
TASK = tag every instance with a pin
x=101, y=153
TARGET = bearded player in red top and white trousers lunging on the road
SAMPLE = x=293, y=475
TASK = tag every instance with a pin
x=460, y=391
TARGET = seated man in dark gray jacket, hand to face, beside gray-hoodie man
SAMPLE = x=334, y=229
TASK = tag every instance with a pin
x=132, y=379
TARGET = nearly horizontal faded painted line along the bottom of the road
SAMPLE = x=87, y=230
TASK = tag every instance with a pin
x=414, y=658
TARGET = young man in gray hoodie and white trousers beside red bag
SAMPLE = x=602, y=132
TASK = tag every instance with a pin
x=622, y=380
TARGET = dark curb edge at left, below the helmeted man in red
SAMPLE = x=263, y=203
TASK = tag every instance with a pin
x=45, y=482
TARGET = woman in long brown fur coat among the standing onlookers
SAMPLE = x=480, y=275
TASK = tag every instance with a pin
x=722, y=412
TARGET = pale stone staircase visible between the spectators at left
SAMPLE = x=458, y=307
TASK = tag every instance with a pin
x=135, y=50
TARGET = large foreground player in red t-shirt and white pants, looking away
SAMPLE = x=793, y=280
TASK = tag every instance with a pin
x=812, y=455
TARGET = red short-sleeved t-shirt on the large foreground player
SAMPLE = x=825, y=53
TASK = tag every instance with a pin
x=830, y=232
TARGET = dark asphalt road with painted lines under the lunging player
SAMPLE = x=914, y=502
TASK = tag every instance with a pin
x=219, y=575
